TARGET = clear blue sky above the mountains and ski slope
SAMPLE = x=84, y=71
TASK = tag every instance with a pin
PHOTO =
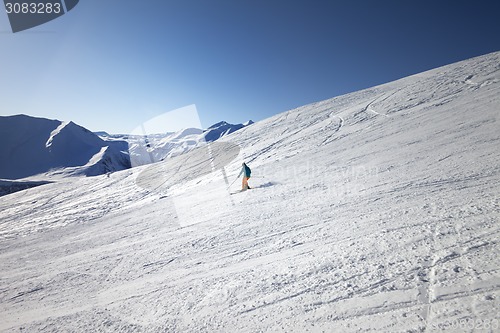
x=113, y=64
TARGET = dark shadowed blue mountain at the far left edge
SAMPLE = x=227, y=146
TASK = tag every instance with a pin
x=33, y=146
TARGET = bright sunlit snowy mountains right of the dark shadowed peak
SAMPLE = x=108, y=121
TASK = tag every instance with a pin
x=151, y=148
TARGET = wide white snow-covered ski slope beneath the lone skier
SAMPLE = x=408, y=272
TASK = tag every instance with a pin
x=376, y=211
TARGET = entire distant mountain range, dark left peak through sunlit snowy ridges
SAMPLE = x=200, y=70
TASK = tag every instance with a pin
x=33, y=146
